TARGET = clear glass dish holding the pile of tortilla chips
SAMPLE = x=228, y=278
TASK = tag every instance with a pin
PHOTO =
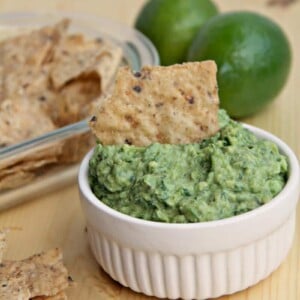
x=137, y=51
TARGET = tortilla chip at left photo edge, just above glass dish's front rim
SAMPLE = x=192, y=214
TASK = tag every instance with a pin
x=21, y=119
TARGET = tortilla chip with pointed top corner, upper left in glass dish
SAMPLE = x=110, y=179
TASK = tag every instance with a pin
x=24, y=59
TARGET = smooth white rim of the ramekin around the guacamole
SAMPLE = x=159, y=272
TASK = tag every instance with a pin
x=294, y=175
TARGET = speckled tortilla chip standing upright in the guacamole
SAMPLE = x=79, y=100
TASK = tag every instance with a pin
x=174, y=105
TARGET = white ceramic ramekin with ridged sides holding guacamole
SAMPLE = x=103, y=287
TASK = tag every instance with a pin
x=198, y=260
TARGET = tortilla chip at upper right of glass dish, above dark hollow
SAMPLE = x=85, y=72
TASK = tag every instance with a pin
x=77, y=56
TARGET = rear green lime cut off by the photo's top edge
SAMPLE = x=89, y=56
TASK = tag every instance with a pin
x=172, y=24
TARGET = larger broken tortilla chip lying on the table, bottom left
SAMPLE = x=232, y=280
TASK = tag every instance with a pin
x=40, y=275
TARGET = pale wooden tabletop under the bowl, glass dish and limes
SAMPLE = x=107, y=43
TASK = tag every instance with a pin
x=56, y=220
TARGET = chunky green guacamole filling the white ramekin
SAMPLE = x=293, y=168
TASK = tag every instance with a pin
x=223, y=176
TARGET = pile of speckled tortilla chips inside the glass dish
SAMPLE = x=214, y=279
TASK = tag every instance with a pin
x=50, y=78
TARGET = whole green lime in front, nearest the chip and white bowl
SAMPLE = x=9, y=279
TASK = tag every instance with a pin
x=253, y=57
